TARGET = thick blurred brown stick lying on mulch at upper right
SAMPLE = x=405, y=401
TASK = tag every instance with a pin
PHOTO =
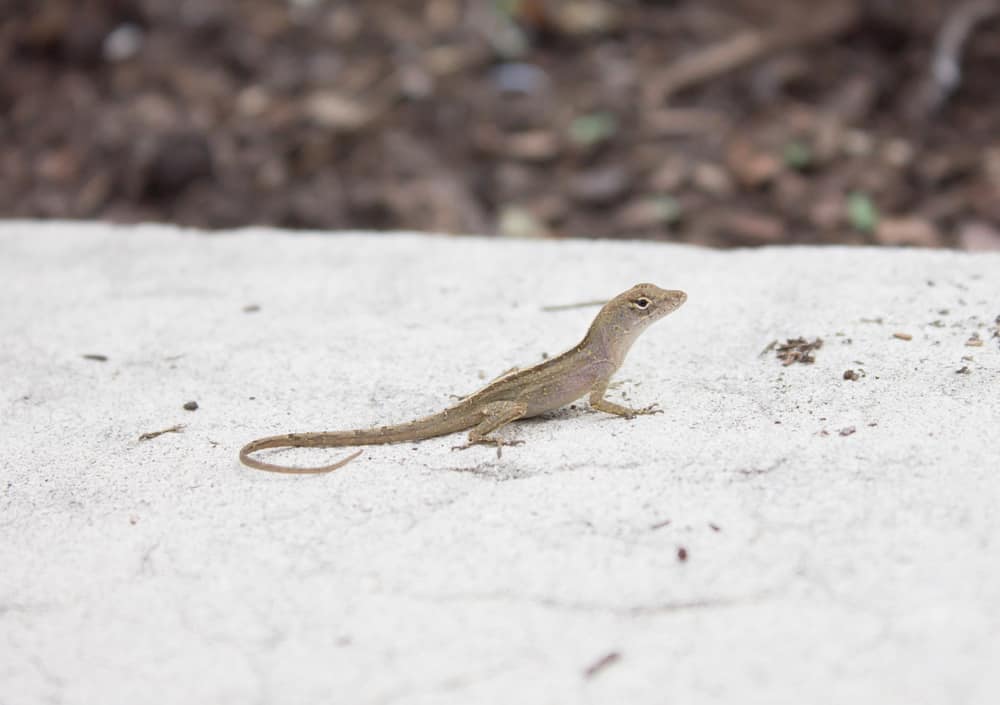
x=749, y=47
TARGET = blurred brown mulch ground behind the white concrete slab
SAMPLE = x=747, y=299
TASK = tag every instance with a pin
x=718, y=122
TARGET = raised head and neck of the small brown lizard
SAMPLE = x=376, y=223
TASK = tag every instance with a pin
x=627, y=315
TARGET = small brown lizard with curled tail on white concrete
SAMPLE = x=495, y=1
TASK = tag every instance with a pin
x=585, y=369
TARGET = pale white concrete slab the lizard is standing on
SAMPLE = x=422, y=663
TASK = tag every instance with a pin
x=821, y=568
